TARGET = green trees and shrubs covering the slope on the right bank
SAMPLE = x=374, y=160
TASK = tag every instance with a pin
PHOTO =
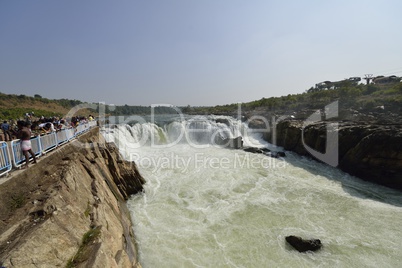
x=350, y=96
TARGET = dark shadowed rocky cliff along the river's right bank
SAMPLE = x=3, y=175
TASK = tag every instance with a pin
x=369, y=151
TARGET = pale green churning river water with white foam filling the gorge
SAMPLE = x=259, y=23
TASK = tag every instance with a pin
x=205, y=206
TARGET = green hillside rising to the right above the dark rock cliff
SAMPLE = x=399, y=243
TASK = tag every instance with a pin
x=358, y=102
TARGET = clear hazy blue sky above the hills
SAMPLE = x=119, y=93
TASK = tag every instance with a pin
x=192, y=52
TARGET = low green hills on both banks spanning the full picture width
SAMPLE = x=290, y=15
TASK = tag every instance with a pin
x=356, y=101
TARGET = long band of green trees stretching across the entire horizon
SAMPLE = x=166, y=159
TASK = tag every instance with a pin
x=351, y=96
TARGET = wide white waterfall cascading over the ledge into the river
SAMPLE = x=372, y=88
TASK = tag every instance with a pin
x=196, y=131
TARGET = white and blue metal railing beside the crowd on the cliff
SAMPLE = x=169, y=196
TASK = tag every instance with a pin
x=40, y=145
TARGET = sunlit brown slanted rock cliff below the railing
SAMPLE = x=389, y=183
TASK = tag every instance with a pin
x=69, y=209
